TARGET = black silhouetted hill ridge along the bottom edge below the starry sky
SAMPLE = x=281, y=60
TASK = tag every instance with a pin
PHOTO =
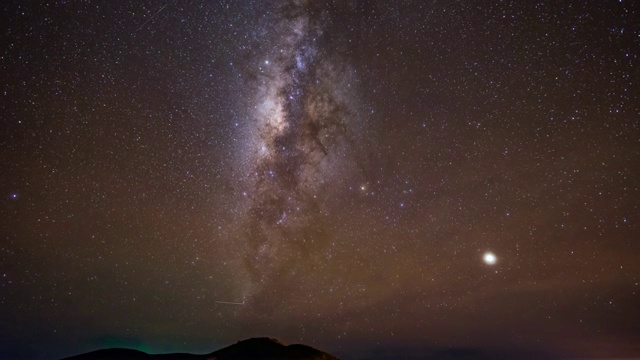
x=256, y=348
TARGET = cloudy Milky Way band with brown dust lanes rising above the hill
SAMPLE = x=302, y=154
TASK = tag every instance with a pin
x=300, y=135
